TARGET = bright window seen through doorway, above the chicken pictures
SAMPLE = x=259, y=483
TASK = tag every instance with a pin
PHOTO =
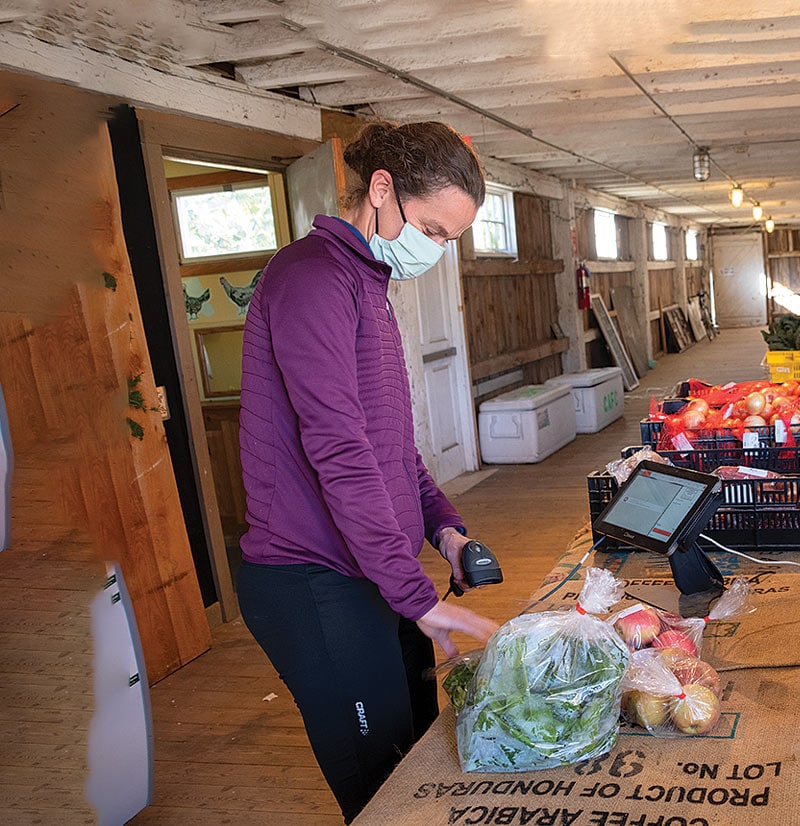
x=224, y=220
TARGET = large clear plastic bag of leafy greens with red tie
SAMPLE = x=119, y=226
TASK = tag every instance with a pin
x=546, y=692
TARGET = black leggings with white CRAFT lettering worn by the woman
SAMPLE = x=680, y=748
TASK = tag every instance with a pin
x=355, y=668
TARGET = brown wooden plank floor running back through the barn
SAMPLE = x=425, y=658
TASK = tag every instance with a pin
x=229, y=744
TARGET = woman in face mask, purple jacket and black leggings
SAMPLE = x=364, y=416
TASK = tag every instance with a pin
x=338, y=499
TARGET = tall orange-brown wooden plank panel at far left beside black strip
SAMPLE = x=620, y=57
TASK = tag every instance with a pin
x=70, y=287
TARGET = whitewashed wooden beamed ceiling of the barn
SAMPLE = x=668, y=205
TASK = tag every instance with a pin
x=611, y=93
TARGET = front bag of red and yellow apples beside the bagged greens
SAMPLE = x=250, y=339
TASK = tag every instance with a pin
x=670, y=693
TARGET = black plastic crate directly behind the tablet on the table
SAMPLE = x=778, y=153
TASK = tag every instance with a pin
x=756, y=514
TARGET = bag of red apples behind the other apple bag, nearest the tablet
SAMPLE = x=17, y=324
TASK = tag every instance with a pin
x=642, y=626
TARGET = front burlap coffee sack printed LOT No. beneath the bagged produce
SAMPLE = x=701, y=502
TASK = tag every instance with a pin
x=745, y=773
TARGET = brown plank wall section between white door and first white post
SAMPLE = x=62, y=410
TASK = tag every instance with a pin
x=510, y=305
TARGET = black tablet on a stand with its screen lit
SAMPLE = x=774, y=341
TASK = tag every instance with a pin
x=664, y=509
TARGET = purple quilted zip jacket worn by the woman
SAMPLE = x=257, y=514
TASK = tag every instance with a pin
x=330, y=468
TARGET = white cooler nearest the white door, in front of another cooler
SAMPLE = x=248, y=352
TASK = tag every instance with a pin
x=526, y=424
